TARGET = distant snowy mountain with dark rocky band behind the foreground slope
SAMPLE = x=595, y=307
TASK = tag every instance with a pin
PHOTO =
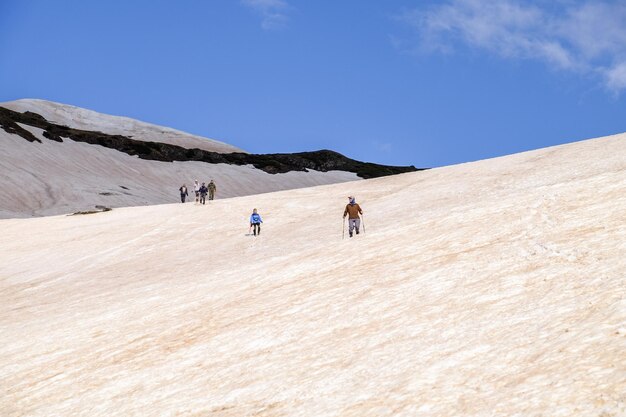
x=58, y=159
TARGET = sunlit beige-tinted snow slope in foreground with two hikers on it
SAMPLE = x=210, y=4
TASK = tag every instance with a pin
x=494, y=288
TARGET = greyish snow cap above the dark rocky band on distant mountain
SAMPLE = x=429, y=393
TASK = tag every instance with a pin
x=79, y=118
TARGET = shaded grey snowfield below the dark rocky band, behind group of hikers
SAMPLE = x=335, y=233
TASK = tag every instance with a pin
x=56, y=178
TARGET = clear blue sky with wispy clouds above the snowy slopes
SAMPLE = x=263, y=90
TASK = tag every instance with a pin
x=427, y=83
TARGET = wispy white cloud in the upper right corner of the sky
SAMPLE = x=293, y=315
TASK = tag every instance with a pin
x=587, y=37
